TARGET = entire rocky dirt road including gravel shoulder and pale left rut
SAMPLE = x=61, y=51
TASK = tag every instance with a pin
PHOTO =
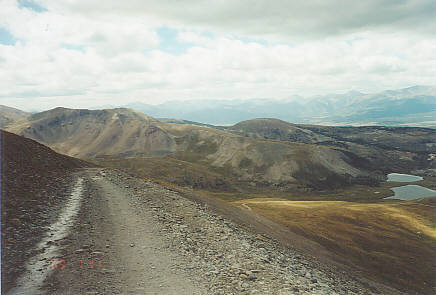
x=130, y=236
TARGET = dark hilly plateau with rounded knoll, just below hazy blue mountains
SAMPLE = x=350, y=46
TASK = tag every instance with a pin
x=384, y=149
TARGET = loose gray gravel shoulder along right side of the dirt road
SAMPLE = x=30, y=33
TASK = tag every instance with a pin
x=226, y=258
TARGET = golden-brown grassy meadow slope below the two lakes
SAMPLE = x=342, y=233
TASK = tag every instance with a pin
x=393, y=241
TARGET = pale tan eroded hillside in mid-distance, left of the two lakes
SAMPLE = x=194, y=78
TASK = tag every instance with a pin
x=260, y=161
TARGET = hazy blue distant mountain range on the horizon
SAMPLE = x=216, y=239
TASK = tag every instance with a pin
x=413, y=106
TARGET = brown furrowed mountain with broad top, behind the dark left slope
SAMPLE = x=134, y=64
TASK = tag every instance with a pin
x=85, y=133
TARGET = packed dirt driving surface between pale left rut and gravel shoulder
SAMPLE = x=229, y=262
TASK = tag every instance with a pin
x=115, y=248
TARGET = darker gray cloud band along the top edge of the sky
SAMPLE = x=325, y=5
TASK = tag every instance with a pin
x=281, y=18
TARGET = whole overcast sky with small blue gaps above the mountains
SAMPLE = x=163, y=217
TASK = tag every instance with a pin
x=85, y=53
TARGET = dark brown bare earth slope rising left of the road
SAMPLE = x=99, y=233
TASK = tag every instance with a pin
x=33, y=175
